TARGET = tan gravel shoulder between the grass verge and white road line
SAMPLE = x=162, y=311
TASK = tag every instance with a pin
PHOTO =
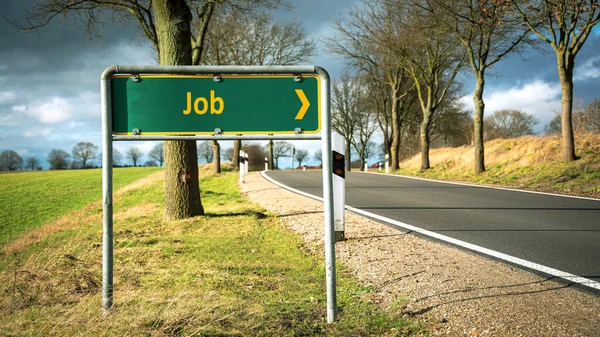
x=450, y=291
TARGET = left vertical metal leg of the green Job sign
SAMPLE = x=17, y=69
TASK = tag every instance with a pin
x=107, y=205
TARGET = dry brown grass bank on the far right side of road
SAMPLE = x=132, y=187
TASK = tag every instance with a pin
x=529, y=162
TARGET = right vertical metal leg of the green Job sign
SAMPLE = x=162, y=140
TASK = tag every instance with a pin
x=328, y=195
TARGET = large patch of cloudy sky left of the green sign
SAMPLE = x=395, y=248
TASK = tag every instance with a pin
x=56, y=70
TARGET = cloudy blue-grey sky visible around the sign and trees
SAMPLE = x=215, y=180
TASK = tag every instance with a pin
x=50, y=78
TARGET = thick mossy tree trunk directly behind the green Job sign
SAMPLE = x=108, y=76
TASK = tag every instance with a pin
x=182, y=192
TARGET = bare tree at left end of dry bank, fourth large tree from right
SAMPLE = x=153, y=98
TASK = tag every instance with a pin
x=363, y=39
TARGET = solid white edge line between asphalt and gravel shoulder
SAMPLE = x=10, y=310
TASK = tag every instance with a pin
x=501, y=256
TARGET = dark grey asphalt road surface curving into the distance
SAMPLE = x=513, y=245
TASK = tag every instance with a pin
x=557, y=232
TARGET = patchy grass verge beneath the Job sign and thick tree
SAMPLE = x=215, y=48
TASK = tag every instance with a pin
x=233, y=272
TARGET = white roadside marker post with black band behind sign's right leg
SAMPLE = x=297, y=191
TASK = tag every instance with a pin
x=338, y=145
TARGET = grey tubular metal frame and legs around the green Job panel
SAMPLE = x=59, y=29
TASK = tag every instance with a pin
x=108, y=138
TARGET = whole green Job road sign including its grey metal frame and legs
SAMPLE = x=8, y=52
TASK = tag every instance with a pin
x=215, y=103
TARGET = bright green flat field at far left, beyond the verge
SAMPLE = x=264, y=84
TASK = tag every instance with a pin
x=30, y=199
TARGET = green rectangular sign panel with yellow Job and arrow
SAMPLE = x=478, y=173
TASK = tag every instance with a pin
x=235, y=104
